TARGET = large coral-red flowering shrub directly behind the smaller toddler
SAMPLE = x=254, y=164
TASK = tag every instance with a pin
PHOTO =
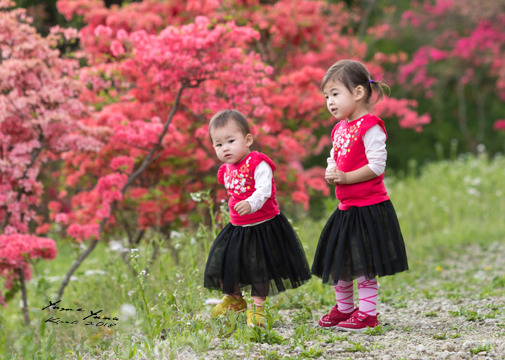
x=140, y=54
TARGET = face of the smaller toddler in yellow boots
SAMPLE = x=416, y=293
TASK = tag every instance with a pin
x=230, y=144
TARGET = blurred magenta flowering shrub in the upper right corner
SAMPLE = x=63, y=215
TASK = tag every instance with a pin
x=461, y=62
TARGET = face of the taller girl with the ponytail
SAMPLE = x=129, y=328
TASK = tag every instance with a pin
x=342, y=103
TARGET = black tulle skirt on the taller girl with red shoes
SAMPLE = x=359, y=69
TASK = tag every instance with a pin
x=361, y=241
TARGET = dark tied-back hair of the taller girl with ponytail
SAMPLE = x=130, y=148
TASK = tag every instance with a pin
x=352, y=73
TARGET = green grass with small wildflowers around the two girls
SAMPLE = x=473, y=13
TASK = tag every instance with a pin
x=450, y=206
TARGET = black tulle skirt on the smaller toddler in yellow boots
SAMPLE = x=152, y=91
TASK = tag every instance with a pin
x=266, y=259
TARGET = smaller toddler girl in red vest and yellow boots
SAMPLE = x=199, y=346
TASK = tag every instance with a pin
x=258, y=249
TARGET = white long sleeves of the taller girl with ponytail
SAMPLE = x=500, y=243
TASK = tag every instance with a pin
x=375, y=150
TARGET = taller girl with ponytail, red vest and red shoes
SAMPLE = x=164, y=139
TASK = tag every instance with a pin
x=362, y=239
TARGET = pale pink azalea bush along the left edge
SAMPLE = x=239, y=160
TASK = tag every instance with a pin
x=39, y=108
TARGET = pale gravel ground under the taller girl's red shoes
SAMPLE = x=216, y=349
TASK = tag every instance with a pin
x=469, y=324
